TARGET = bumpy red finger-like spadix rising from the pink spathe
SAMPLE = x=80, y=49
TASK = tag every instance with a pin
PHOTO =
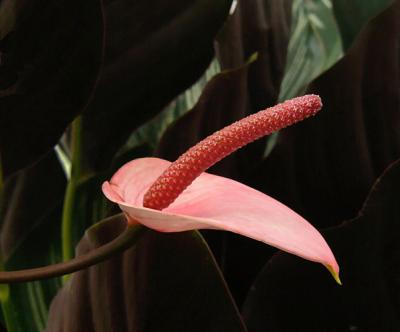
x=222, y=143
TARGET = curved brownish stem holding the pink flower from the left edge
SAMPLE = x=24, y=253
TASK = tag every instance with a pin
x=125, y=240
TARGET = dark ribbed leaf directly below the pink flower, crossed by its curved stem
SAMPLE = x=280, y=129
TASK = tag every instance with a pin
x=167, y=282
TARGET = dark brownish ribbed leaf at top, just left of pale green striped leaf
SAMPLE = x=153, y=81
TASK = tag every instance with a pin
x=260, y=27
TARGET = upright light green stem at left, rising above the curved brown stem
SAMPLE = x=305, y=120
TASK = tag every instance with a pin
x=70, y=194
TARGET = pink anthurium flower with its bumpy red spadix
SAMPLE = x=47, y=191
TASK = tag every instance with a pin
x=180, y=196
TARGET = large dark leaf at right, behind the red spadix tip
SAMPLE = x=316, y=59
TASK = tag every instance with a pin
x=332, y=160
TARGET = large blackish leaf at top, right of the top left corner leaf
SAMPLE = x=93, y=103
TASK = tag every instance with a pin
x=154, y=50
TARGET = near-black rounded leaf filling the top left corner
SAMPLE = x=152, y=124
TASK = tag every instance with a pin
x=50, y=57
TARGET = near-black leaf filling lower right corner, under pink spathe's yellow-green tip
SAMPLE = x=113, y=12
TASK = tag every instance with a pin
x=367, y=248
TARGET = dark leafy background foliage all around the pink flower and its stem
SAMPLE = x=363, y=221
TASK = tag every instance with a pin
x=136, y=74
